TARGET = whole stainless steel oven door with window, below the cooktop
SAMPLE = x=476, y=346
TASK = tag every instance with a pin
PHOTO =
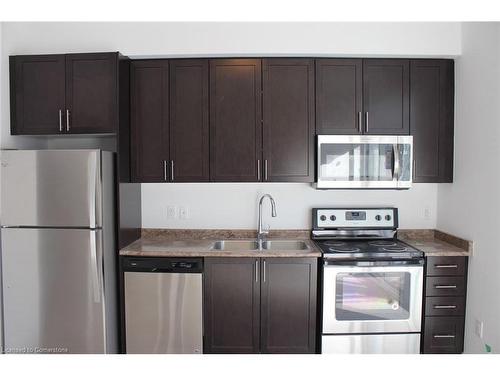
x=373, y=298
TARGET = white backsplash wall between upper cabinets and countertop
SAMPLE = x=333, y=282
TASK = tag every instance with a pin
x=234, y=206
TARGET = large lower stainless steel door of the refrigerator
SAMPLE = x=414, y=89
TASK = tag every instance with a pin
x=53, y=291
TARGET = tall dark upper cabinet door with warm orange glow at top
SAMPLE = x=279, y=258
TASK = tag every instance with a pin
x=235, y=119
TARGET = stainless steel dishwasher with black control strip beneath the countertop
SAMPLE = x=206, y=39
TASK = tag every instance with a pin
x=163, y=305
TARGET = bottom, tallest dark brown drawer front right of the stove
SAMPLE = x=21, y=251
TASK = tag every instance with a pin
x=443, y=335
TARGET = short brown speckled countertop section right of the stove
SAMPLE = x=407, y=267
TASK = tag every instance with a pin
x=436, y=243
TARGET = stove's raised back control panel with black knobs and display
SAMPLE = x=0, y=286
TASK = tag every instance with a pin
x=355, y=217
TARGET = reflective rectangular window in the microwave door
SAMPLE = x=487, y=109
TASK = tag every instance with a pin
x=356, y=162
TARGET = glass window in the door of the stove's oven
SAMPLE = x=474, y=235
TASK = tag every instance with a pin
x=373, y=296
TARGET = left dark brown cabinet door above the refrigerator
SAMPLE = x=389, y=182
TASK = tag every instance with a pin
x=37, y=94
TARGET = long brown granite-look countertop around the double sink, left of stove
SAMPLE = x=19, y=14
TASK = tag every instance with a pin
x=197, y=243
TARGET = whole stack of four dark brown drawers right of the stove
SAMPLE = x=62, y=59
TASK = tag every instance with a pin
x=444, y=304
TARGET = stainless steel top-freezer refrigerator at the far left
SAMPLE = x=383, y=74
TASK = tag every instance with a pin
x=58, y=250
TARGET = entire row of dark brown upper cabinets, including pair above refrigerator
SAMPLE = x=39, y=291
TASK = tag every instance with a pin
x=249, y=120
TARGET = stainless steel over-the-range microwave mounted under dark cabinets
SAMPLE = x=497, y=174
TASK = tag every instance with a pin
x=364, y=162
